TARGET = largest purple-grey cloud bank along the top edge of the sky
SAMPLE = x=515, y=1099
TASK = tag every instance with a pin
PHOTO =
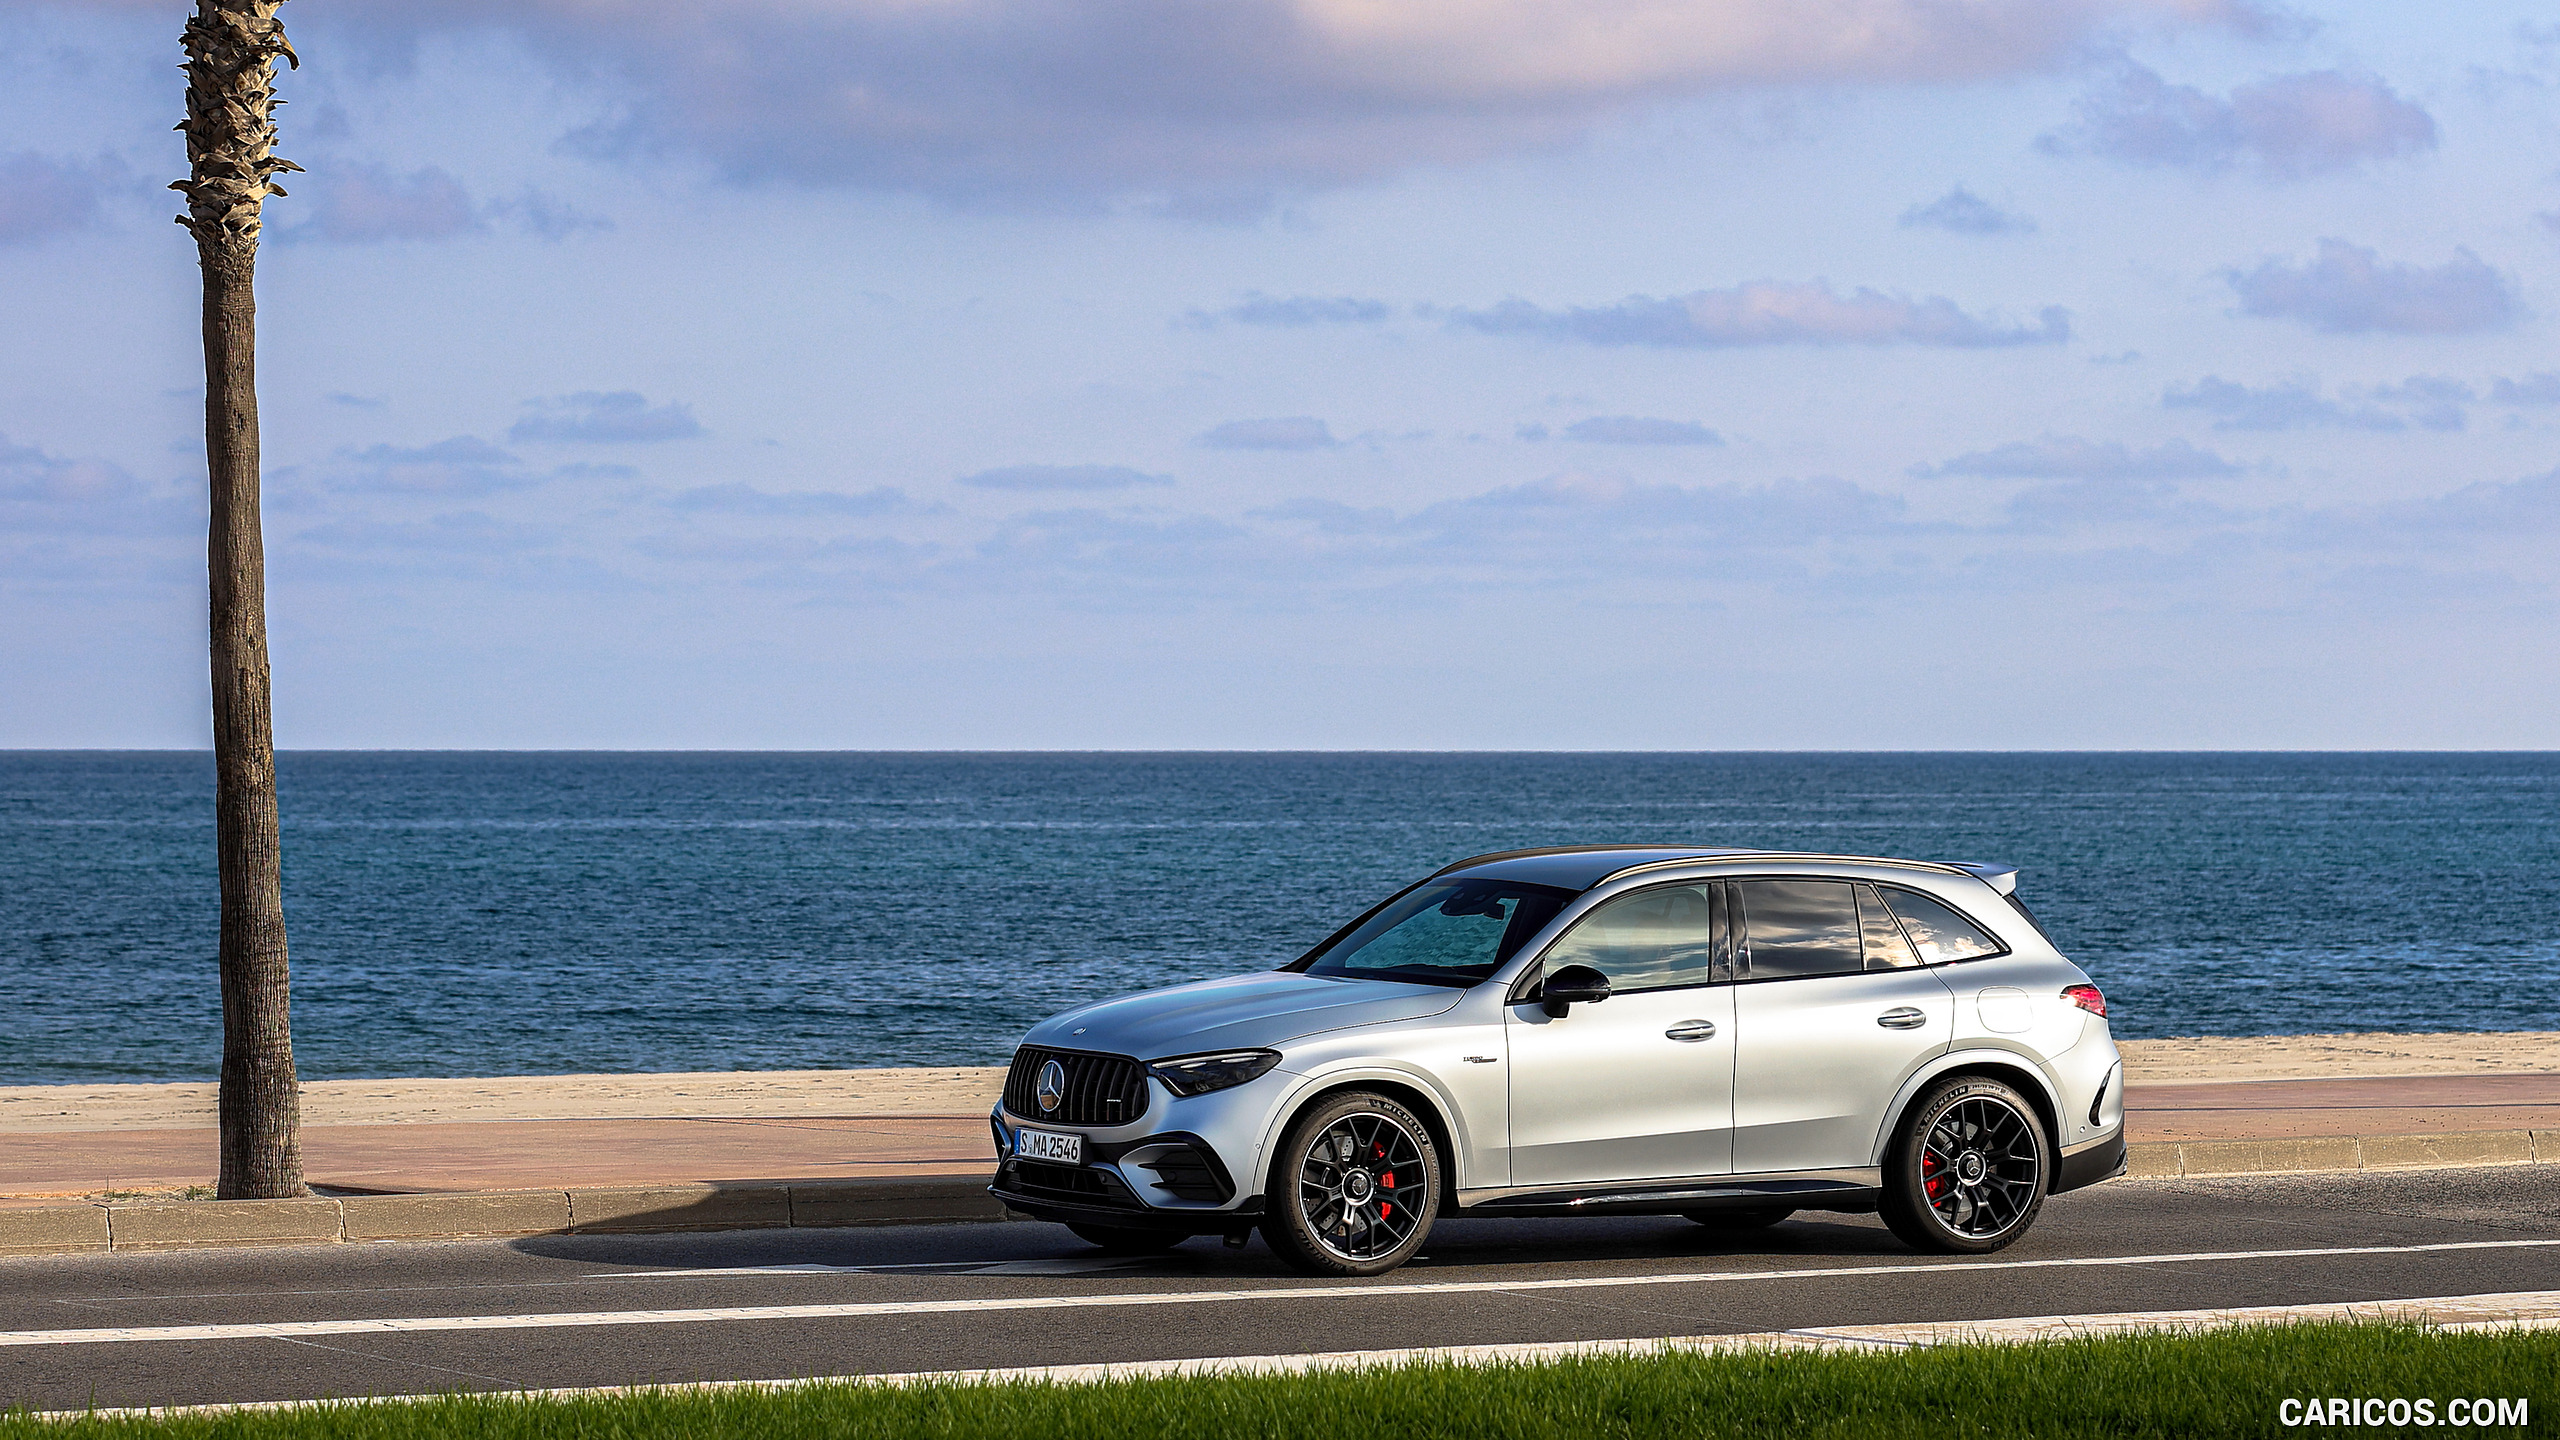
x=1212, y=109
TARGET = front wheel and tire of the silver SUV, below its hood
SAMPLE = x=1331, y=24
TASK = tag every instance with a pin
x=1353, y=1188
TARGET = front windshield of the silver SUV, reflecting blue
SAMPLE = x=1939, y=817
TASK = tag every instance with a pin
x=1443, y=931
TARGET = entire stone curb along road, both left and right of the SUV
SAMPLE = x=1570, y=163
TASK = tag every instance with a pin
x=959, y=1200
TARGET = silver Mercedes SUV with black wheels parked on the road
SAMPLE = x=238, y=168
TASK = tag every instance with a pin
x=1588, y=1031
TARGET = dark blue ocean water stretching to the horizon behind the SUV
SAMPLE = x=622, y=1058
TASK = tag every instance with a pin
x=552, y=913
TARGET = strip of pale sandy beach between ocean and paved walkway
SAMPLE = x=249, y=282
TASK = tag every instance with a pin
x=972, y=1090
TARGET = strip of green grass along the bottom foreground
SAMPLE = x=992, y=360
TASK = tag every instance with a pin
x=2118, y=1387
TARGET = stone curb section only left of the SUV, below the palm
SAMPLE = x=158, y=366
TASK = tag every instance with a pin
x=500, y=1213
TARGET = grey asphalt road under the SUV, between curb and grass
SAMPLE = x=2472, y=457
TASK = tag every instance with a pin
x=470, y=1316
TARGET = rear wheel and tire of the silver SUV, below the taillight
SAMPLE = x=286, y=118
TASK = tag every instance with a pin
x=1967, y=1170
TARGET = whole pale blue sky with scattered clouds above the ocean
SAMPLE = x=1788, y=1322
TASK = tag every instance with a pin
x=1312, y=375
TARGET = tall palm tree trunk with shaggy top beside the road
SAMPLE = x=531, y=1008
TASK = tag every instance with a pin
x=232, y=50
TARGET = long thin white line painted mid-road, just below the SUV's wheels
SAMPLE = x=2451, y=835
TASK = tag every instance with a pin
x=1128, y=1300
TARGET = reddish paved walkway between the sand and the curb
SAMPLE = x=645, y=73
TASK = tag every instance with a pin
x=541, y=1154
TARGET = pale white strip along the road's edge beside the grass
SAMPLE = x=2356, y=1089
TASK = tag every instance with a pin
x=2459, y=1313
